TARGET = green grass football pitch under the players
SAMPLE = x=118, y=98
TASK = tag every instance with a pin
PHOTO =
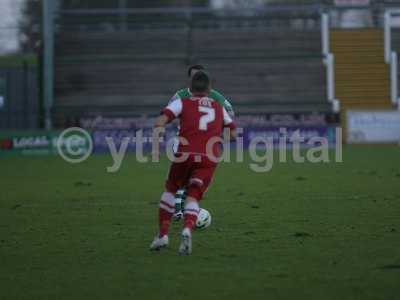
x=302, y=231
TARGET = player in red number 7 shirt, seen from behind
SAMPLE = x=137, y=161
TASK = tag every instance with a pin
x=202, y=120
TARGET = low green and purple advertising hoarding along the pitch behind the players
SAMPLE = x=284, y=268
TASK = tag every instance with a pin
x=275, y=127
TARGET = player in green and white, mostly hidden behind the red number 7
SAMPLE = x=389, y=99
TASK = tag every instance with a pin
x=185, y=93
